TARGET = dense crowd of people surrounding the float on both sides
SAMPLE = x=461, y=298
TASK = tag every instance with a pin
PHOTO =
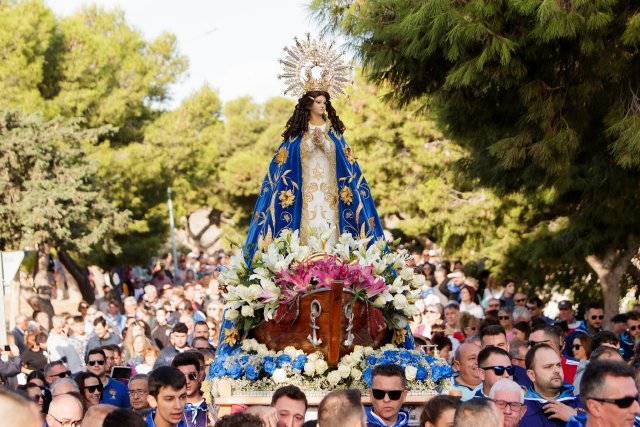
x=139, y=355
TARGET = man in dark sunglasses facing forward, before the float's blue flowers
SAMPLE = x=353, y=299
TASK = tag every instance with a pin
x=387, y=393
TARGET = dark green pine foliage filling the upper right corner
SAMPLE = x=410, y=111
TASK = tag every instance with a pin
x=542, y=95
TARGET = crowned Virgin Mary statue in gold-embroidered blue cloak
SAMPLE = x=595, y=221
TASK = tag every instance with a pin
x=314, y=182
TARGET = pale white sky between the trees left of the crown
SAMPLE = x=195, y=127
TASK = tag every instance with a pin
x=233, y=45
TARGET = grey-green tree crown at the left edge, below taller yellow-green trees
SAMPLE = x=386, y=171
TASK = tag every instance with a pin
x=49, y=192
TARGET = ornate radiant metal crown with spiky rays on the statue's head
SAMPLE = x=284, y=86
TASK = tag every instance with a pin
x=314, y=65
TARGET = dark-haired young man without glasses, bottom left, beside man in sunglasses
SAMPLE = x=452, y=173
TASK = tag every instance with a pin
x=167, y=397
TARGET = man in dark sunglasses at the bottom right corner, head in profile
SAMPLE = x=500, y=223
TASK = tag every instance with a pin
x=610, y=394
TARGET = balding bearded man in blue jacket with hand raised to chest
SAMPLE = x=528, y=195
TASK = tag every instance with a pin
x=550, y=401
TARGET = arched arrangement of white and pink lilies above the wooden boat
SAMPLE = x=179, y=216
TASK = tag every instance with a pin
x=286, y=268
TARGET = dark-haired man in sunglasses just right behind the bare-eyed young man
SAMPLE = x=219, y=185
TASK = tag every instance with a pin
x=195, y=410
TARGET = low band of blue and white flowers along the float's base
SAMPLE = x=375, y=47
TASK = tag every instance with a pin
x=253, y=367
